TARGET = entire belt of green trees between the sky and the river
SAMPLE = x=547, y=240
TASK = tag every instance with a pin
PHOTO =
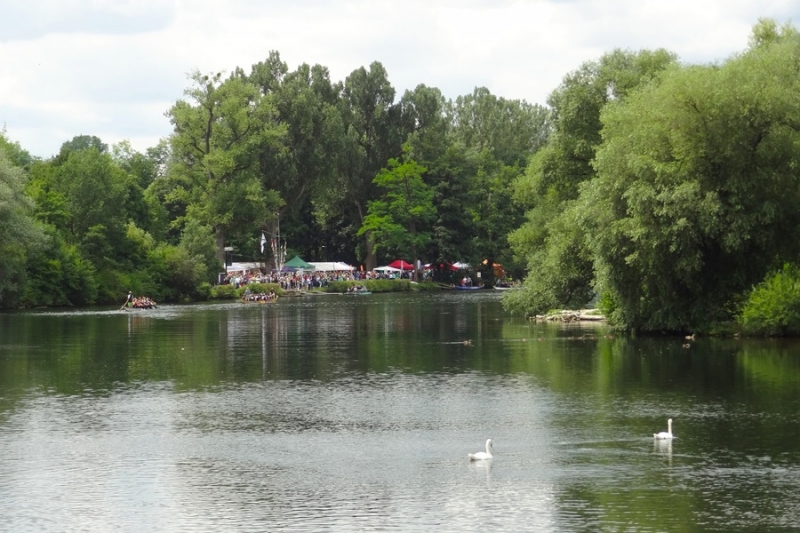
x=665, y=192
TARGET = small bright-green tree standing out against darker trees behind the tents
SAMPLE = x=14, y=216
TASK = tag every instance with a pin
x=397, y=221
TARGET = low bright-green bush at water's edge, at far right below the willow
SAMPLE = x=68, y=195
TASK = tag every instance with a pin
x=773, y=306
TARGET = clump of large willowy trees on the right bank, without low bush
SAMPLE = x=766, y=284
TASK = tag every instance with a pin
x=678, y=195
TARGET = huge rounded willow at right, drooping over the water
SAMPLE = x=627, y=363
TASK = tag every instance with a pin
x=697, y=194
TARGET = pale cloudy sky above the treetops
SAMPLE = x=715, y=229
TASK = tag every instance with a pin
x=112, y=68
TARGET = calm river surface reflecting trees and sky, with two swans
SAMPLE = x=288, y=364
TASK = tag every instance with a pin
x=356, y=413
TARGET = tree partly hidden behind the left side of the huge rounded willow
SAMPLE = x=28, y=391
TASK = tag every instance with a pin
x=559, y=262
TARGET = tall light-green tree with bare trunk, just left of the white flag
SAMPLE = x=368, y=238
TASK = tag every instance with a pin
x=216, y=132
